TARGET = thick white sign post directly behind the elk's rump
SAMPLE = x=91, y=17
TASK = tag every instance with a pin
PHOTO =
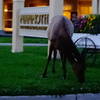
x=56, y=8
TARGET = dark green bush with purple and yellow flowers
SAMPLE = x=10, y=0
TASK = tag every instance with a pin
x=88, y=24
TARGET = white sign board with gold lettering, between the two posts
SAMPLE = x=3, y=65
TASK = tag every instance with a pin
x=34, y=21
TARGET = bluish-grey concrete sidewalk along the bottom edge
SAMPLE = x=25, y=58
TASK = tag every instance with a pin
x=89, y=96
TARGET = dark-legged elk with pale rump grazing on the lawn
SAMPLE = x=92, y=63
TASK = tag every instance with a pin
x=60, y=31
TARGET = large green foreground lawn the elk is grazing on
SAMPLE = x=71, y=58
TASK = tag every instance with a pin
x=20, y=74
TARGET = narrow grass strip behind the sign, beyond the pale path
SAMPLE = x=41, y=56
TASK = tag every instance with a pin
x=26, y=40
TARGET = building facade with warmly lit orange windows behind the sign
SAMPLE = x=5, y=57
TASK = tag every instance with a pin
x=78, y=7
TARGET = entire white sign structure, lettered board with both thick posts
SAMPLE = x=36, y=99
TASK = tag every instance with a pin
x=32, y=21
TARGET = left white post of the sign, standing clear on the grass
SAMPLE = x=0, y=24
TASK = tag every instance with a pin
x=17, y=41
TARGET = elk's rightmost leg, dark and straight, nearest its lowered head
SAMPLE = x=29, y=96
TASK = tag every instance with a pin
x=63, y=59
